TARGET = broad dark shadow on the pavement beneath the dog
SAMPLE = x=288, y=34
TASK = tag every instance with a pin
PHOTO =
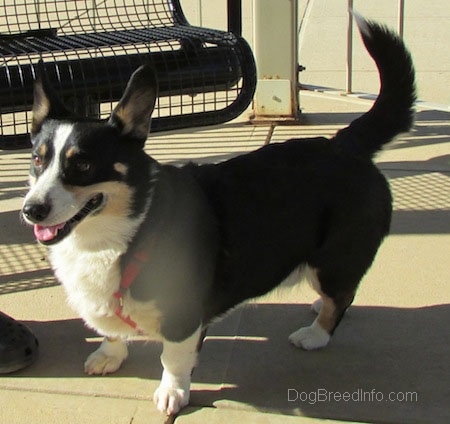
x=383, y=364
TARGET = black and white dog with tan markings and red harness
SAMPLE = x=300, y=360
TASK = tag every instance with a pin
x=154, y=249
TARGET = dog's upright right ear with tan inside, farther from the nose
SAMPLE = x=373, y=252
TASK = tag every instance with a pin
x=132, y=115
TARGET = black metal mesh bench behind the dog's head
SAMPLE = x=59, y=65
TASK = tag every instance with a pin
x=90, y=48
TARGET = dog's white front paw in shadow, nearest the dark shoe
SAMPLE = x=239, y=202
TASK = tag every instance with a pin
x=107, y=358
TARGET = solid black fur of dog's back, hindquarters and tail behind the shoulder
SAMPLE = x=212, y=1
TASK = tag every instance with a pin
x=316, y=201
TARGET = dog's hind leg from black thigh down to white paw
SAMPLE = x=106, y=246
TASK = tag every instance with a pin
x=335, y=271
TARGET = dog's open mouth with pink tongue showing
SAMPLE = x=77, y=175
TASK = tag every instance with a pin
x=54, y=233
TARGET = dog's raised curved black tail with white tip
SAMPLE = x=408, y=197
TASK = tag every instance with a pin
x=392, y=112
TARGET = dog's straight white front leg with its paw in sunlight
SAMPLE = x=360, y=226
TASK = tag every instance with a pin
x=178, y=360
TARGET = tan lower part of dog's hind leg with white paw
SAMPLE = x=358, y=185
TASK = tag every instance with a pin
x=330, y=308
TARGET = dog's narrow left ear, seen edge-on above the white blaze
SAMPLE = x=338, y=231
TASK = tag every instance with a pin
x=46, y=103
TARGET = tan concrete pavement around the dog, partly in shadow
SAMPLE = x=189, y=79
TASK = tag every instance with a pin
x=388, y=361
